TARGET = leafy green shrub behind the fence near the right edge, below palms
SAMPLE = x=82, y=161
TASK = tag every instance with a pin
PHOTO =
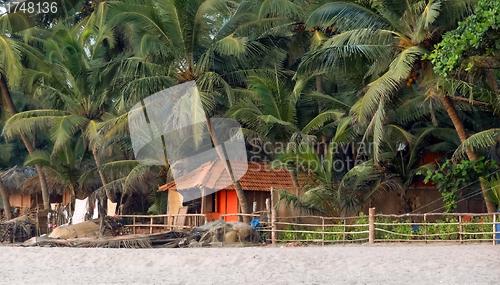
x=450, y=176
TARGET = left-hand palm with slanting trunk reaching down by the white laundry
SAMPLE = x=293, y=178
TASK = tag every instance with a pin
x=73, y=94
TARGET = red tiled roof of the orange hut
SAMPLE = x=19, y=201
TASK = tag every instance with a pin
x=213, y=175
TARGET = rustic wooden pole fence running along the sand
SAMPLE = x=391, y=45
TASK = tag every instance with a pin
x=459, y=227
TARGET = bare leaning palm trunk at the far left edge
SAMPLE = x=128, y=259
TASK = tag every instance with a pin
x=10, y=105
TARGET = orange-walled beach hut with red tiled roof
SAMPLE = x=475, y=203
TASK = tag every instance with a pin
x=211, y=176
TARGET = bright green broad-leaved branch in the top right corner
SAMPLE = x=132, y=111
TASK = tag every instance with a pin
x=469, y=37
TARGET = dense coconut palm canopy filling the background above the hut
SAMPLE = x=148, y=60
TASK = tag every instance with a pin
x=334, y=75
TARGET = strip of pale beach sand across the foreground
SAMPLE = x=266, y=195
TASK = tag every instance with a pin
x=354, y=264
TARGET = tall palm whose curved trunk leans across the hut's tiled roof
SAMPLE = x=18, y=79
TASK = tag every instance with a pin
x=211, y=41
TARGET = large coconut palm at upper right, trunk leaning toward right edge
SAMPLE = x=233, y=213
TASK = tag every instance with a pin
x=393, y=37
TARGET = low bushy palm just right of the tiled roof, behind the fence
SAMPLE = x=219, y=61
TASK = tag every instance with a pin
x=329, y=191
